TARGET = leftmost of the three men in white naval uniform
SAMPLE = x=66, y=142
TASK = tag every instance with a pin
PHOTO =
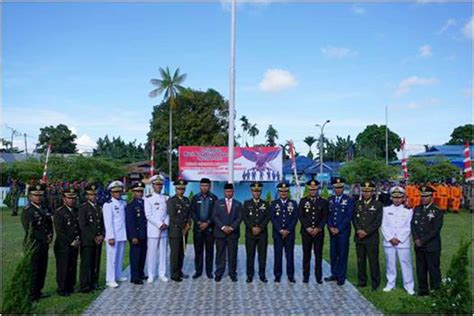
x=115, y=234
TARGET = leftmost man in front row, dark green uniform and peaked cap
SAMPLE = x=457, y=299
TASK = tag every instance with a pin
x=38, y=226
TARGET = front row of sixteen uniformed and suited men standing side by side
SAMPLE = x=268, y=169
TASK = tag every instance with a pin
x=149, y=224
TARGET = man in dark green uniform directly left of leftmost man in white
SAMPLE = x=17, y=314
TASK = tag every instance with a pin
x=91, y=224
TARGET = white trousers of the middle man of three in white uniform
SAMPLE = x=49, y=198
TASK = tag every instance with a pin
x=157, y=252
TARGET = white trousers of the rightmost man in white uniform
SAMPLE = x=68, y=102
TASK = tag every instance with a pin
x=404, y=256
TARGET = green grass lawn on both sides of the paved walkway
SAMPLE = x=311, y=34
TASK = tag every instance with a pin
x=455, y=227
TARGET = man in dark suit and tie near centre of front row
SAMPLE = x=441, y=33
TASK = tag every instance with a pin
x=226, y=217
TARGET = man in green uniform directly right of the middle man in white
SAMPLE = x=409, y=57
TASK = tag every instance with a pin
x=179, y=211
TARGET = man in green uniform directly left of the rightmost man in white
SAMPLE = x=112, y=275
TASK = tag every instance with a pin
x=367, y=219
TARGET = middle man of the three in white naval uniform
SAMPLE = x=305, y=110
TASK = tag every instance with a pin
x=157, y=230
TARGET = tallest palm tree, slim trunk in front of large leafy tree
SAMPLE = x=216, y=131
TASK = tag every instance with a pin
x=170, y=86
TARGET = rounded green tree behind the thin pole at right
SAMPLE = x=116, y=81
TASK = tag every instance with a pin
x=371, y=143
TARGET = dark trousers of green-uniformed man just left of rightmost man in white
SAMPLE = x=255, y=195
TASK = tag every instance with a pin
x=370, y=252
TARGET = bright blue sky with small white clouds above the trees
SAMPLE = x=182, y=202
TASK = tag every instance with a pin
x=297, y=64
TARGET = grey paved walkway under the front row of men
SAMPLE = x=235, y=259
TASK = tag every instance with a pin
x=204, y=296
